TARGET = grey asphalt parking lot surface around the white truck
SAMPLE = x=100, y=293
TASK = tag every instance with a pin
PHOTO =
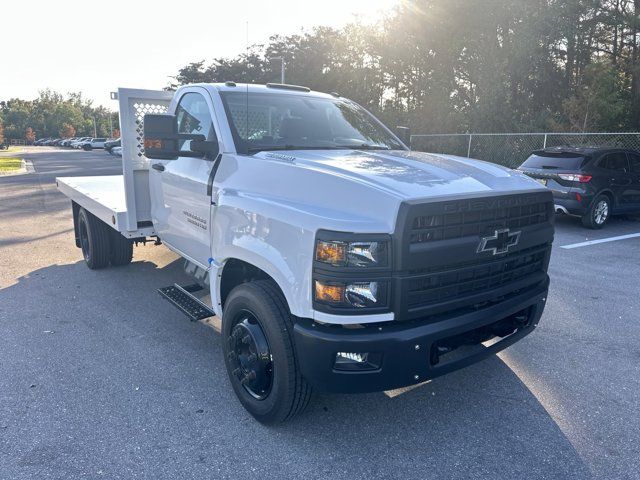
x=100, y=378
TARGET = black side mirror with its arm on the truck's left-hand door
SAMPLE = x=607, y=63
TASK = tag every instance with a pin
x=161, y=139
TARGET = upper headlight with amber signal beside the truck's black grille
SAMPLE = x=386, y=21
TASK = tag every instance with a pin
x=353, y=254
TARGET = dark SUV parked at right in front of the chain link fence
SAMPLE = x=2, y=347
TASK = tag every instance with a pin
x=592, y=183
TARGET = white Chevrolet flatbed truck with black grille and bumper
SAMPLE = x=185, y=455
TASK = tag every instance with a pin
x=336, y=258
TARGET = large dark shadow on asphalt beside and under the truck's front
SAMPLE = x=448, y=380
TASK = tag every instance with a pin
x=97, y=373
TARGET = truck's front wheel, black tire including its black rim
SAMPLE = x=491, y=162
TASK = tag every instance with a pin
x=278, y=392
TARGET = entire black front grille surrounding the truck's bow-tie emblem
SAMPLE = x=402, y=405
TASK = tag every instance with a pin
x=439, y=266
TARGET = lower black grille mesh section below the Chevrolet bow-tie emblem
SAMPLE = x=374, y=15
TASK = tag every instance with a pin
x=471, y=278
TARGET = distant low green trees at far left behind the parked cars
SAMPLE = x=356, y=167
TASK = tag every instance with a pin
x=55, y=115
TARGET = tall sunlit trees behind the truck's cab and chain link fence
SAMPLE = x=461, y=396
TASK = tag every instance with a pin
x=456, y=66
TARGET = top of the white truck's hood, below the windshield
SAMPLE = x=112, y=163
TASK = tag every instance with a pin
x=410, y=175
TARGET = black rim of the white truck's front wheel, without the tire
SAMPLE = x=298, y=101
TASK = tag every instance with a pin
x=249, y=356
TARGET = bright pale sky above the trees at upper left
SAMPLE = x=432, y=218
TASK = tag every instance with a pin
x=96, y=47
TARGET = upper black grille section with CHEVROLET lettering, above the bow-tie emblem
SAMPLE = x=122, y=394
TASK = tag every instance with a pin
x=462, y=220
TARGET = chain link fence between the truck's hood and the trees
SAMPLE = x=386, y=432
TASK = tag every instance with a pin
x=511, y=149
